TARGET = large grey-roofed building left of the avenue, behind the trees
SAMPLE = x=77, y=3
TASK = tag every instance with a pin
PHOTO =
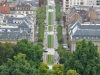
x=14, y=29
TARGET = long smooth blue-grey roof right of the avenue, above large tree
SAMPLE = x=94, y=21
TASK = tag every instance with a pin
x=85, y=30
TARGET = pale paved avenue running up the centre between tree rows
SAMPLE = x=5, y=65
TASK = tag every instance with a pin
x=50, y=21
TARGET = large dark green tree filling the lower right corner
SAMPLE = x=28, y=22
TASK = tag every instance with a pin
x=85, y=59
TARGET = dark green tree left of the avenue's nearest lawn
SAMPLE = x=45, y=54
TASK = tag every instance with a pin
x=33, y=53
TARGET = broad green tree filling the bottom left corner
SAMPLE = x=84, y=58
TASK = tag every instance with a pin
x=18, y=66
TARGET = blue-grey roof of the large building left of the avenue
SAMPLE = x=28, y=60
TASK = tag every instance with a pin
x=16, y=32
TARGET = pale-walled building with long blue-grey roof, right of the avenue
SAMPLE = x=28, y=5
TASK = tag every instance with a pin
x=90, y=32
